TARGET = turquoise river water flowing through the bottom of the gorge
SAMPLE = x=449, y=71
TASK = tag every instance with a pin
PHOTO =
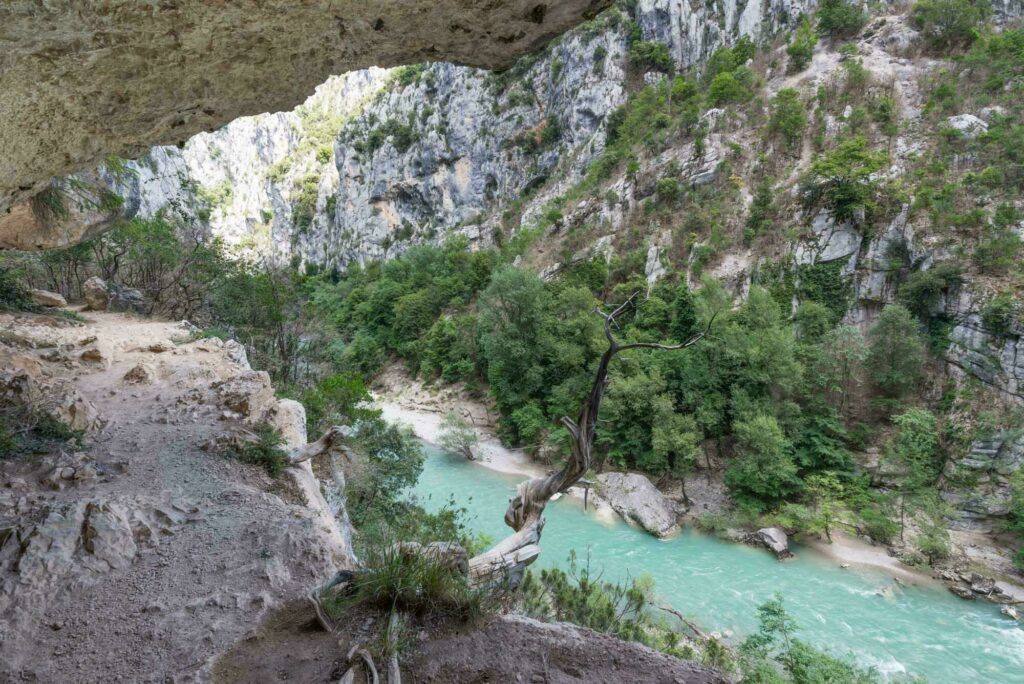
x=859, y=613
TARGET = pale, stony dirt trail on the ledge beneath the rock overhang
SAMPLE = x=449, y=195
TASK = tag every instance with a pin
x=142, y=557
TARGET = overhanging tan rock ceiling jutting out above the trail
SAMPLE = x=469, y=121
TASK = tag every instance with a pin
x=82, y=81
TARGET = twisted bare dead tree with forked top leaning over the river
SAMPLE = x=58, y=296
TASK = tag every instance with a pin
x=507, y=561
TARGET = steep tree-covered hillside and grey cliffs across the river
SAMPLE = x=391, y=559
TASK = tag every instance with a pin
x=836, y=199
